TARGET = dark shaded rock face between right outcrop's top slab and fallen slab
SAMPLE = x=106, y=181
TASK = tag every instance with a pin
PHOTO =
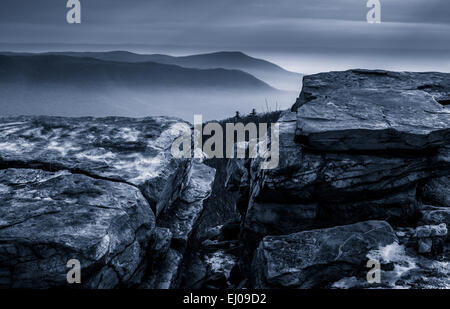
x=310, y=189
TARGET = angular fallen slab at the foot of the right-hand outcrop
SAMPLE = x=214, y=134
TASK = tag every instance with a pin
x=315, y=258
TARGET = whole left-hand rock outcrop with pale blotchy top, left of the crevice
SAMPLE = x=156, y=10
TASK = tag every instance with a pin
x=106, y=192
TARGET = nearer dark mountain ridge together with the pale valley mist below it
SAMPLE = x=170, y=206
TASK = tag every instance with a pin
x=79, y=86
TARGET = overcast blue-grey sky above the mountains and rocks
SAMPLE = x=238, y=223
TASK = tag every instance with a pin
x=299, y=34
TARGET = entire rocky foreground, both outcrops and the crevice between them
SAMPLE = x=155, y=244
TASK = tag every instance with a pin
x=363, y=176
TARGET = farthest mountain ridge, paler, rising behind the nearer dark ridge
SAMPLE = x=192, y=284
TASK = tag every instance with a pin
x=266, y=71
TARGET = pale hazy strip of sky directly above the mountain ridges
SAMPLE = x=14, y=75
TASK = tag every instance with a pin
x=307, y=61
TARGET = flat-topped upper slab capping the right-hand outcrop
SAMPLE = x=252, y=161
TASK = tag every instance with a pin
x=361, y=110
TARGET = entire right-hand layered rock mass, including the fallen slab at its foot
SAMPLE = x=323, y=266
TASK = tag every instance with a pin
x=358, y=145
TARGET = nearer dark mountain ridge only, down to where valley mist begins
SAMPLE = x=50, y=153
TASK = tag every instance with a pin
x=90, y=71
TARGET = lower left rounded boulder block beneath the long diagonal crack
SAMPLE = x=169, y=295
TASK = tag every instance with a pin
x=48, y=218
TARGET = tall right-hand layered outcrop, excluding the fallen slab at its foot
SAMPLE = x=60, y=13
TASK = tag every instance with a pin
x=360, y=145
